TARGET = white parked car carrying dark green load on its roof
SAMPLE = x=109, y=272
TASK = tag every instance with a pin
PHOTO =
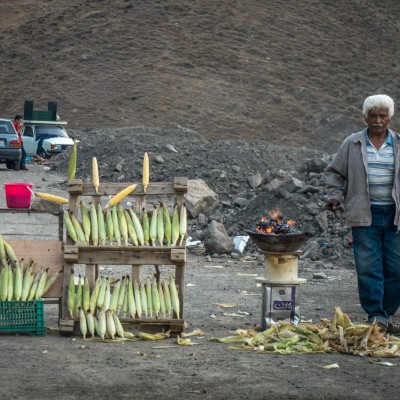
x=45, y=139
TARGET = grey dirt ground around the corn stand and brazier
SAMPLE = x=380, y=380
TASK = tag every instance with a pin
x=68, y=367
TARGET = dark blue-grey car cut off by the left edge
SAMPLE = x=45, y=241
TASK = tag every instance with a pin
x=10, y=146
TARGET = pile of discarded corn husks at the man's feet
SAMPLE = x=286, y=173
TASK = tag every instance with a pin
x=339, y=335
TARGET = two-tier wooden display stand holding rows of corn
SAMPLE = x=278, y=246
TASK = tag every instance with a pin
x=136, y=256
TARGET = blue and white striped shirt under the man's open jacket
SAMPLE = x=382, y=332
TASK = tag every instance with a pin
x=380, y=172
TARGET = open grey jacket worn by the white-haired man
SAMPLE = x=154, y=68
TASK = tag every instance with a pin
x=347, y=180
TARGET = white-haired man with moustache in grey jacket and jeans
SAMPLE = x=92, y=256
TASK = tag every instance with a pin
x=364, y=176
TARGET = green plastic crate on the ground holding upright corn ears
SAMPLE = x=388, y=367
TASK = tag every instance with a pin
x=22, y=317
